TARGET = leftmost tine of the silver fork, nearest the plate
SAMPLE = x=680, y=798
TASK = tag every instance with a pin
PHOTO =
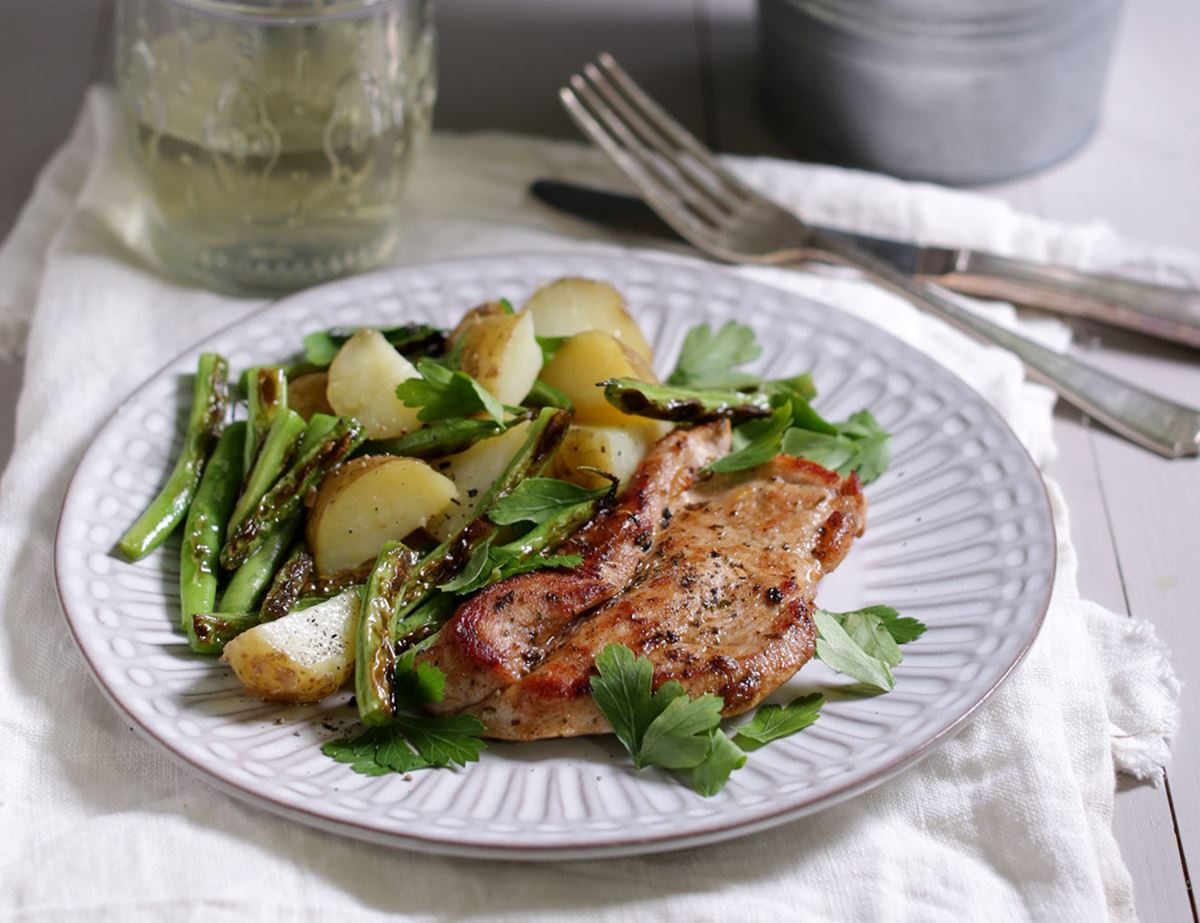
x=581, y=103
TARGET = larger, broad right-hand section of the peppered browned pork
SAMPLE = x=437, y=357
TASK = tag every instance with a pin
x=722, y=603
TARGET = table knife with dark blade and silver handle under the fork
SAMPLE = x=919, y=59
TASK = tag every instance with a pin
x=1161, y=311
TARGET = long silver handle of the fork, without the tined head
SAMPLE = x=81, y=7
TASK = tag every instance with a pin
x=1157, y=424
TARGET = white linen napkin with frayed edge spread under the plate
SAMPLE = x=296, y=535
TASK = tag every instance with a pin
x=1009, y=820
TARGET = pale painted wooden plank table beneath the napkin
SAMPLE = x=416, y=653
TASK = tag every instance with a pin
x=1136, y=519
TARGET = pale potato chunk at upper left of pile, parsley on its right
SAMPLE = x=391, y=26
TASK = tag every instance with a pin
x=363, y=382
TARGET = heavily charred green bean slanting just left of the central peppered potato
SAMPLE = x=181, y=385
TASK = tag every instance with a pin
x=283, y=501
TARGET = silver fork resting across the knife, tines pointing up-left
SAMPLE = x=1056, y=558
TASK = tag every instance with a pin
x=686, y=184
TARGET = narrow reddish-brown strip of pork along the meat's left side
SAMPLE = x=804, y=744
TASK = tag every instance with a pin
x=506, y=631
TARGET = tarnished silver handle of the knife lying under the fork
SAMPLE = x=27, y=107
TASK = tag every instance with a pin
x=1162, y=311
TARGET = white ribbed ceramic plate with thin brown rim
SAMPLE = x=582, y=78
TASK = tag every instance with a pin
x=959, y=536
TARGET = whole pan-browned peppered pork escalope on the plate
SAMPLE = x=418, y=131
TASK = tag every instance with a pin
x=711, y=579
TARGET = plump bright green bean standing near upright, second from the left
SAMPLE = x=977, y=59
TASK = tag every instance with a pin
x=206, y=526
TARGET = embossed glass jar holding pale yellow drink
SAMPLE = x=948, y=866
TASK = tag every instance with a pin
x=273, y=137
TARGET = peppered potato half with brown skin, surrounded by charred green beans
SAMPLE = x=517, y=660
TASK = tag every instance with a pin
x=371, y=501
